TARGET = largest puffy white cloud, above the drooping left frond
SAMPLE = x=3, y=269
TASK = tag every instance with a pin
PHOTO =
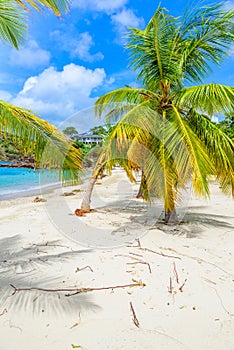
x=56, y=95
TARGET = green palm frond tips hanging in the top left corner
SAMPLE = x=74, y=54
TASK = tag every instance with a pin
x=13, y=17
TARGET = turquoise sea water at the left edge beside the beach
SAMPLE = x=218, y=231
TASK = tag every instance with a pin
x=16, y=182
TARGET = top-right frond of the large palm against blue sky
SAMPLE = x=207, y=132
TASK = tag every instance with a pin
x=206, y=33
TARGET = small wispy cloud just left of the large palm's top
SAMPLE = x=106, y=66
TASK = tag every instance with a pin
x=124, y=19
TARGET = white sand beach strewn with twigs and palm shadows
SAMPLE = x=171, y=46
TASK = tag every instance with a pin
x=183, y=276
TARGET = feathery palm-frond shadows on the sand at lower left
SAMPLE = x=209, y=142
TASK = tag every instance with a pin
x=37, y=266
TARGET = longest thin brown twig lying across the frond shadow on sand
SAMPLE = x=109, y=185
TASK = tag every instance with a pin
x=76, y=290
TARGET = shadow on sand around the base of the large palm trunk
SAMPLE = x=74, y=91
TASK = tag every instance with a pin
x=146, y=217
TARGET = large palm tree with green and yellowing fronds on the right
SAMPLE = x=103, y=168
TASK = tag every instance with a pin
x=168, y=116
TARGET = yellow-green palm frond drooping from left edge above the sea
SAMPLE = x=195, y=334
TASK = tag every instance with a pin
x=50, y=147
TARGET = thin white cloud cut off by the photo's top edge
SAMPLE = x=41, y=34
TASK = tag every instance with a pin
x=107, y=6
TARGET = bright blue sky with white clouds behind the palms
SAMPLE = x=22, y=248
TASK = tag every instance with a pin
x=66, y=63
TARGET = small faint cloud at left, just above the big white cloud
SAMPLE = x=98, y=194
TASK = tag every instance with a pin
x=30, y=56
